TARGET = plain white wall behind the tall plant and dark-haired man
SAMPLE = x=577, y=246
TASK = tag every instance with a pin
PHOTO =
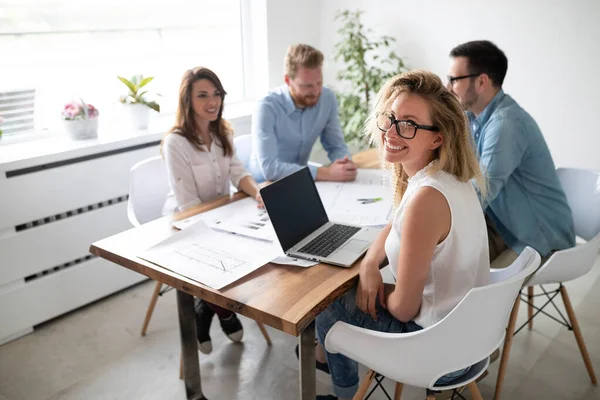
x=553, y=47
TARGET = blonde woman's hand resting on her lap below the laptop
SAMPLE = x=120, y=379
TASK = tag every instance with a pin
x=370, y=286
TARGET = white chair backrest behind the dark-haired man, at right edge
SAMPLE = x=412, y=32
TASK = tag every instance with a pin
x=582, y=188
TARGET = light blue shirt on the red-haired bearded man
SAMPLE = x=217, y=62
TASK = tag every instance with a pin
x=283, y=135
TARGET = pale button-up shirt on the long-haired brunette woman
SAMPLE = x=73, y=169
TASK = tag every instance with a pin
x=197, y=176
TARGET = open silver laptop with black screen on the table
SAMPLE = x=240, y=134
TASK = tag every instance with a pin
x=303, y=228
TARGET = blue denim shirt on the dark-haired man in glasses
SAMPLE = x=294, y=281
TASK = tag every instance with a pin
x=525, y=200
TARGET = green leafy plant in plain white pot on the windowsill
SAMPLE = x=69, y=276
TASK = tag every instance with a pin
x=136, y=102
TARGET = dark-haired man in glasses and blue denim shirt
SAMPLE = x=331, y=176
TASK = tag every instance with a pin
x=525, y=204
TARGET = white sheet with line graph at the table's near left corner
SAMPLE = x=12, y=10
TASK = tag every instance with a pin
x=213, y=258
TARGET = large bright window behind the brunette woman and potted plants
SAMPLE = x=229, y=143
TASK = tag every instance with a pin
x=64, y=50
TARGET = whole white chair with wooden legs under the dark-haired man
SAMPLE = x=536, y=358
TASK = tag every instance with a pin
x=582, y=188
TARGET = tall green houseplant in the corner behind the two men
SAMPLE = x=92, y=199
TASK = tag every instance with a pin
x=366, y=67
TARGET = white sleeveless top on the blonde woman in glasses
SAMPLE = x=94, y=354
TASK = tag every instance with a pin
x=461, y=261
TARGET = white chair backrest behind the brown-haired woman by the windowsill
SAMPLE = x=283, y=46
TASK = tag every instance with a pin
x=148, y=189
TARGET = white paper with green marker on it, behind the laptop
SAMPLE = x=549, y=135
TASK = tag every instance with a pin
x=342, y=200
